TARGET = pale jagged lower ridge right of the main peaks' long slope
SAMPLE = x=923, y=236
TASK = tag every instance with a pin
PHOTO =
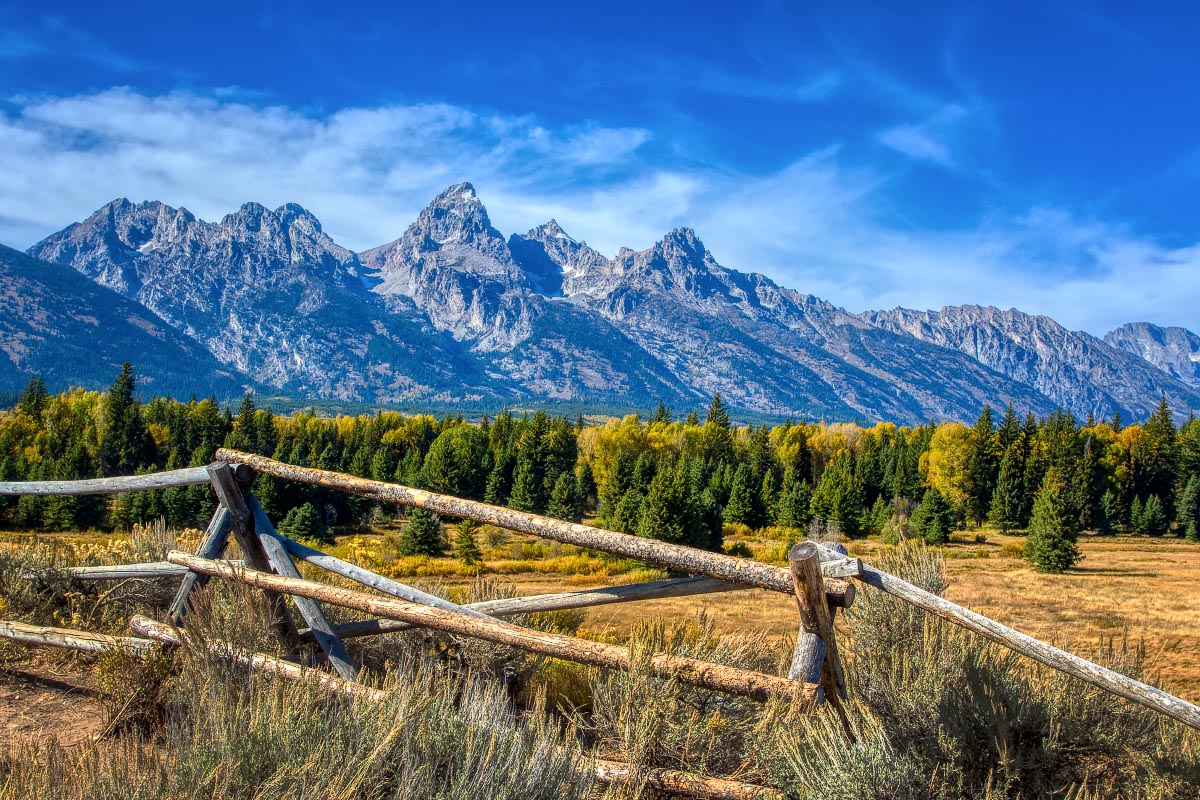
x=1076, y=370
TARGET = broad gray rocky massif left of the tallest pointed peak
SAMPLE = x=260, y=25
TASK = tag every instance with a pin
x=269, y=294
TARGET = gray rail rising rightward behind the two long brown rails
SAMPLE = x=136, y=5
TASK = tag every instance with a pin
x=562, y=601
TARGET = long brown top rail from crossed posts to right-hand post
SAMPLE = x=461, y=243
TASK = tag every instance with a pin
x=677, y=557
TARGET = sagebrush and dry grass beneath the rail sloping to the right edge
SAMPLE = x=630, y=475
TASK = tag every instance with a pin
x=941, y=713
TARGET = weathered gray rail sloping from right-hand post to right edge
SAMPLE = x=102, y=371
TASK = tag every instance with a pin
x=1046, y=654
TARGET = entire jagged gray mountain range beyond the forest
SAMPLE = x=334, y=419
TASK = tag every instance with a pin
x=455, y=312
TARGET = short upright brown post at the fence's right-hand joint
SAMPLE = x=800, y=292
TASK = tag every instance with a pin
x=817, y=649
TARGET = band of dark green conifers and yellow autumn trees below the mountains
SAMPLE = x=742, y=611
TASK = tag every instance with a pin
x=679, y=480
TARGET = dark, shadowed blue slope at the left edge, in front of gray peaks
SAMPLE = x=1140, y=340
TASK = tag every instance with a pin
x=57, y=323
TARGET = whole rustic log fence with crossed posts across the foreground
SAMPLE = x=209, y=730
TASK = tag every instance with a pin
x=820, y=576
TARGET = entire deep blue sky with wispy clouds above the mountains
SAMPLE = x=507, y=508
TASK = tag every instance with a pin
x=1045, y=157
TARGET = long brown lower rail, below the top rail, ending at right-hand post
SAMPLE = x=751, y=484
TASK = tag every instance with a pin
x=691, y=671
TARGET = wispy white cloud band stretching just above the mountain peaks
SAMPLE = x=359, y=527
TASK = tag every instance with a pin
x=819, y=225
